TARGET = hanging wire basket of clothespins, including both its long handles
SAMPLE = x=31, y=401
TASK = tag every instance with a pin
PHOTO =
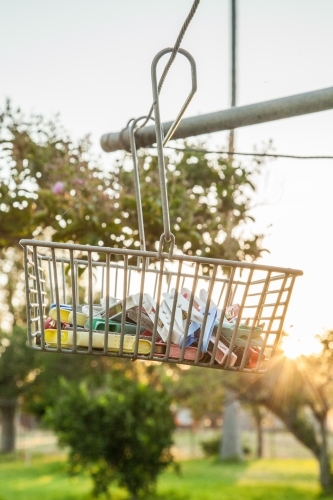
x=155, y=306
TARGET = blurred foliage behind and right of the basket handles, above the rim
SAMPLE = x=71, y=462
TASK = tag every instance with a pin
x=209, y=202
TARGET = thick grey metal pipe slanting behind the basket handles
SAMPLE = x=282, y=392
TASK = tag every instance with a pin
x=242, y=116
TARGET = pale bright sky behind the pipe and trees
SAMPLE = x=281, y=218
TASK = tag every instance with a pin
x=89, y=61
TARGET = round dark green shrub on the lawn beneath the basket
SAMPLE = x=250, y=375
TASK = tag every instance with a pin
x=121, y=430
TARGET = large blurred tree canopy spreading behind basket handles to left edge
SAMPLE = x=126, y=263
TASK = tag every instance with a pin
x=52, y=188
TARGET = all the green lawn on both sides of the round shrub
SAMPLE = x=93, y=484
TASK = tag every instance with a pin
x=45, y=477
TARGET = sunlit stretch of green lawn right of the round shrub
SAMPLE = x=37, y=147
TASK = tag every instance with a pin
x=254, y=480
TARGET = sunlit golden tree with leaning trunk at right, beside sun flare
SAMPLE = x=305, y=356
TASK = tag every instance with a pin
x=298, y=392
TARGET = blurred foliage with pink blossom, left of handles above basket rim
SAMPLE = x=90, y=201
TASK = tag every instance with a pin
x=50, y=186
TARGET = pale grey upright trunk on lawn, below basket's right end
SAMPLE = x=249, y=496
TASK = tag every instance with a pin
x=231, y=444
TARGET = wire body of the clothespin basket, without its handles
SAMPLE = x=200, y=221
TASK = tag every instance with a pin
x=81, y=275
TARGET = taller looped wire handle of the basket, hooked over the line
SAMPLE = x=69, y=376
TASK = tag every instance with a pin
x=167, y=235
